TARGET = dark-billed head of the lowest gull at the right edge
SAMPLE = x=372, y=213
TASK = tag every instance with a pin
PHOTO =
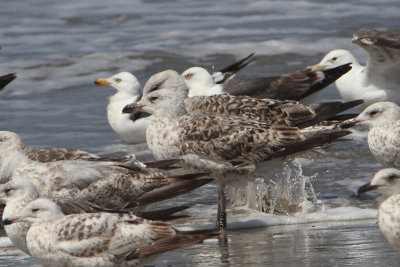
x=385, y=182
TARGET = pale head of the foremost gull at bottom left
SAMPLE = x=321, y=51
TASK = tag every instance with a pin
x=39, y=210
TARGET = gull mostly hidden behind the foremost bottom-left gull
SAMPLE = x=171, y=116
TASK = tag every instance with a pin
x=17, y=194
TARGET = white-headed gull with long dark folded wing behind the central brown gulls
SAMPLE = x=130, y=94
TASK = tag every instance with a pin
x=301, y=85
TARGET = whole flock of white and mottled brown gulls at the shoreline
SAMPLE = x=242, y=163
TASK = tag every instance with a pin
x=68, y=207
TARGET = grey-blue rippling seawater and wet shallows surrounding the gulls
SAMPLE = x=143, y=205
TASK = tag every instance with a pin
x=58, y=48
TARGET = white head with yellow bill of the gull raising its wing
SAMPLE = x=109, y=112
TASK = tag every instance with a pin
x=336, y=58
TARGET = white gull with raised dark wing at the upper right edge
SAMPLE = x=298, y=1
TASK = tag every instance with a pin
x=379, y=79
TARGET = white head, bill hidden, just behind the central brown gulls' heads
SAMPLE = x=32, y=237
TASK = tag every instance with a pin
x=198, y=80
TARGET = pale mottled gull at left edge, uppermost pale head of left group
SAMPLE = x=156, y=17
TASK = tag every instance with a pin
x=106, y=183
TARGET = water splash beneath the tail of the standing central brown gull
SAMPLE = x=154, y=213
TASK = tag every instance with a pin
x=287, y=191
